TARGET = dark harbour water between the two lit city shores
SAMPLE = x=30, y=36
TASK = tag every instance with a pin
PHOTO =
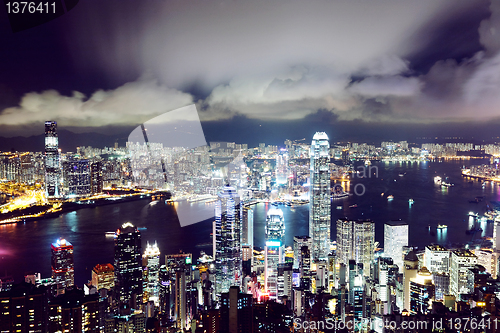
x=26, y=246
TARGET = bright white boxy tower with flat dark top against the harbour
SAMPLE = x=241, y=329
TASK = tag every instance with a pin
x=395, y=237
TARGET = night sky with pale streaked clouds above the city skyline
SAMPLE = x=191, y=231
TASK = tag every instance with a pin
x=119, y=63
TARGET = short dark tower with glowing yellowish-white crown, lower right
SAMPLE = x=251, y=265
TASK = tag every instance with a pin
x=421, y=291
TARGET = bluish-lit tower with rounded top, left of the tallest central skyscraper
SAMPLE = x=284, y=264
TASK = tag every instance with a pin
x=227, y=241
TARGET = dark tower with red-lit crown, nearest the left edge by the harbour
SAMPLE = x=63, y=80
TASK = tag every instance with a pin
x=63, y=266
